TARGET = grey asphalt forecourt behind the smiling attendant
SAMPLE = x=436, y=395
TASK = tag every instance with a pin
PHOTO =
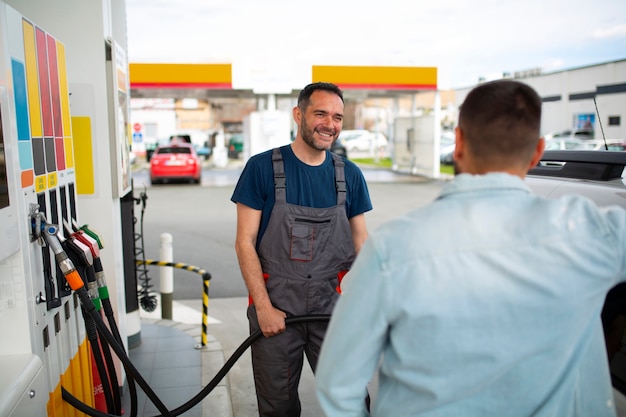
x=202, y=222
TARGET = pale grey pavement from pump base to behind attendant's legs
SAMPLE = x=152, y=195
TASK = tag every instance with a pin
x=227, y=330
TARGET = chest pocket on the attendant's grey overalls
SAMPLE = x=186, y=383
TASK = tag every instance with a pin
x=308, y=236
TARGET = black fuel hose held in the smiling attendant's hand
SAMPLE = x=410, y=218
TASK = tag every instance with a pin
x=80, y=406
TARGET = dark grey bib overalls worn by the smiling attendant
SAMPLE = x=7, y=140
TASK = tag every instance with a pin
x=302, y=252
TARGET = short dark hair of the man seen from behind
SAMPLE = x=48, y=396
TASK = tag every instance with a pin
x=501, y=120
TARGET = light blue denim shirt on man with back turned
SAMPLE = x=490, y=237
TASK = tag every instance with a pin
x=485, y=302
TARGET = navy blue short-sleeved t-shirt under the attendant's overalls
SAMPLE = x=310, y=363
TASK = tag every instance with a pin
x=309, y=186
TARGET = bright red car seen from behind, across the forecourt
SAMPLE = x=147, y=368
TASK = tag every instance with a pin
x=175, y=161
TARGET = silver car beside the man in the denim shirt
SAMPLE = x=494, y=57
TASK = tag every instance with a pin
x=600, y=176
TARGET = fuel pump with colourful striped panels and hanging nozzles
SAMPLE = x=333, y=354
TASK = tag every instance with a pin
x=45, y=344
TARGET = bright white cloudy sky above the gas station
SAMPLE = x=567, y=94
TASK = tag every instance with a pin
x=465, y=39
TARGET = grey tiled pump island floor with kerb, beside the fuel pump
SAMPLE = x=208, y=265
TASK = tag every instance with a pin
x=177, y=367
